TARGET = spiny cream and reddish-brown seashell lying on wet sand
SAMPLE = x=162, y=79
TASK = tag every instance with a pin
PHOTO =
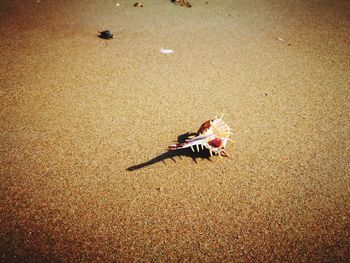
x=213, y=135
